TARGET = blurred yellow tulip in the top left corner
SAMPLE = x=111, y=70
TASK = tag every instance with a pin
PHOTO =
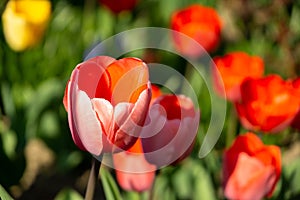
x=24, y=22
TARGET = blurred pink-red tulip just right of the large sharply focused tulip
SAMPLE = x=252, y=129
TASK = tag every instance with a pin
x=170, y=130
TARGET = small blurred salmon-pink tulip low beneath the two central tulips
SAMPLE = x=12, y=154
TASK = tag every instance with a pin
x=133, y=172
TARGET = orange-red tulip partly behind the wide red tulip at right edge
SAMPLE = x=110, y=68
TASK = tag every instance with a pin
x=233, y=69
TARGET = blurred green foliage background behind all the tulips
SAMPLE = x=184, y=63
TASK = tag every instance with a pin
x=38, y=159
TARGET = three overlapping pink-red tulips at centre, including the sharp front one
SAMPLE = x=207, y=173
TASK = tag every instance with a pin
x=109, y=111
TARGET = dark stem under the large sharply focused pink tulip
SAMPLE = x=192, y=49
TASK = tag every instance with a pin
x=92, y=179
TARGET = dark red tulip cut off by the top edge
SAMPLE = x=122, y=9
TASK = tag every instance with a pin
x=118, y=6
